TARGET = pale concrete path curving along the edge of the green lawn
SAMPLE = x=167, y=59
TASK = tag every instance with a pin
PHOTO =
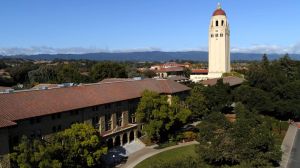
x=147, y=152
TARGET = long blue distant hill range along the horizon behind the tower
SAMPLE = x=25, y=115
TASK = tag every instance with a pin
x=150, y=56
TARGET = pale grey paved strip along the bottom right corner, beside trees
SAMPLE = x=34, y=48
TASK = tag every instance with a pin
x=287, y=144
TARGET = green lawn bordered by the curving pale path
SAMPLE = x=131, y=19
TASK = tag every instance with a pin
x=169, y=156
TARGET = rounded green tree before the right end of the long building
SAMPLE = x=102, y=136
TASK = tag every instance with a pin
x=160, y=116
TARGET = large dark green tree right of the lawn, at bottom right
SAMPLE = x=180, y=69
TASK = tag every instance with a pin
x=235, y=144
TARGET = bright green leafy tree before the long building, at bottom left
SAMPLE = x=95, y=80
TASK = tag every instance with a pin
x=78, y=146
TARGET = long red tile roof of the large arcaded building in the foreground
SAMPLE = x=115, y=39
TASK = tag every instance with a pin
x=26, y=104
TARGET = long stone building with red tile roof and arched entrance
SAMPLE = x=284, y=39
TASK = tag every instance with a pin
x=108, y=106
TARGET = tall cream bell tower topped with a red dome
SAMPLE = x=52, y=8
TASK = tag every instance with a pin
x=219, y=44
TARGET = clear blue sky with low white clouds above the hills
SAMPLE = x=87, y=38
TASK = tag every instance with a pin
x=80, y=26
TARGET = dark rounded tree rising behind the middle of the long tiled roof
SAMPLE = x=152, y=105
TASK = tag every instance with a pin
x=104, y=70
